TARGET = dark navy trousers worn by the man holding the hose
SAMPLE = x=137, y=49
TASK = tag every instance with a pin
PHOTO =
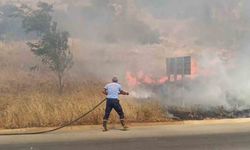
x=110, y=104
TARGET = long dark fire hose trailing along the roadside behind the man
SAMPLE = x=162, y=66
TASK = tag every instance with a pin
x=57, y=128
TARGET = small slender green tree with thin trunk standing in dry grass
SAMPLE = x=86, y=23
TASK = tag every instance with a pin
x=54, y=51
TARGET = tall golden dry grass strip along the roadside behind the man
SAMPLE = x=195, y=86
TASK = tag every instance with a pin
x=41, y=109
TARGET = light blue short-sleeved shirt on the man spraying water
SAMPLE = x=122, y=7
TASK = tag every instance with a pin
x=113, y=89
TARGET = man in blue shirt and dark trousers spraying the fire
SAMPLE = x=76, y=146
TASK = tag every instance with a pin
x=112, y=91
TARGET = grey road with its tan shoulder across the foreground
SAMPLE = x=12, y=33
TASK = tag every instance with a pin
x=226, y=136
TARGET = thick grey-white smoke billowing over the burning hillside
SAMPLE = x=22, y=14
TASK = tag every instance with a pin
x=113, y=37
